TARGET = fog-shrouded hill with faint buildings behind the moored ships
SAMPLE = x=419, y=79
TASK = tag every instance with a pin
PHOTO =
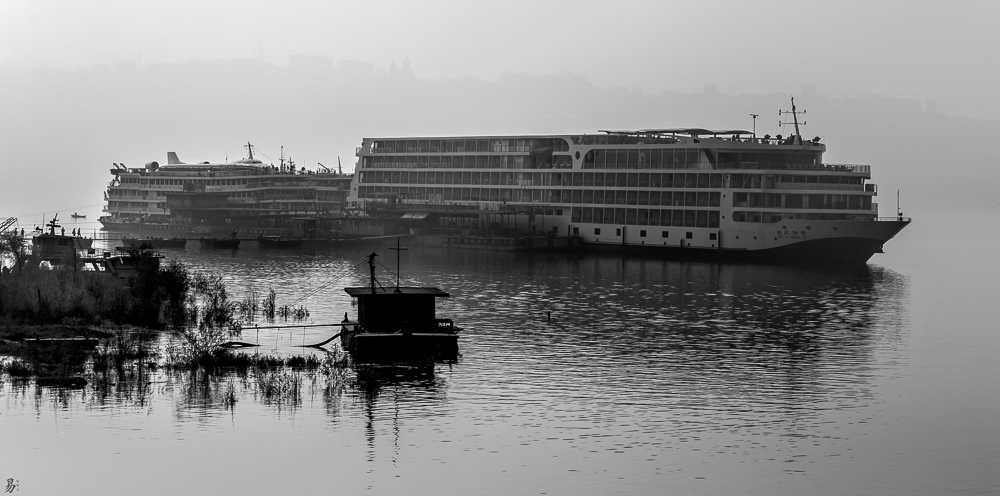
x=63, y=129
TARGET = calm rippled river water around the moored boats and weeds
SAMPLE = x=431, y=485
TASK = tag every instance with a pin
x=650, y=377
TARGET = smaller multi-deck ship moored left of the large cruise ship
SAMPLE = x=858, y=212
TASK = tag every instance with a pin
x=248, y=195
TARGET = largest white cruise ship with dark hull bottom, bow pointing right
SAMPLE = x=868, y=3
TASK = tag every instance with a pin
x=690, y=193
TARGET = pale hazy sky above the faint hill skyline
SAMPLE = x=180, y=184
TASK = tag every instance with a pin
x=914, y=49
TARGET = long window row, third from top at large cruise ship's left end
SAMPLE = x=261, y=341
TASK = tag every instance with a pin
x=615, y=179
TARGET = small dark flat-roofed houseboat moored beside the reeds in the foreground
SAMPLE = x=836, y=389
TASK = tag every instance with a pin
x=398, y=325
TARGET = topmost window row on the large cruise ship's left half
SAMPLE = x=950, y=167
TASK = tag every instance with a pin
x=463, y=145
